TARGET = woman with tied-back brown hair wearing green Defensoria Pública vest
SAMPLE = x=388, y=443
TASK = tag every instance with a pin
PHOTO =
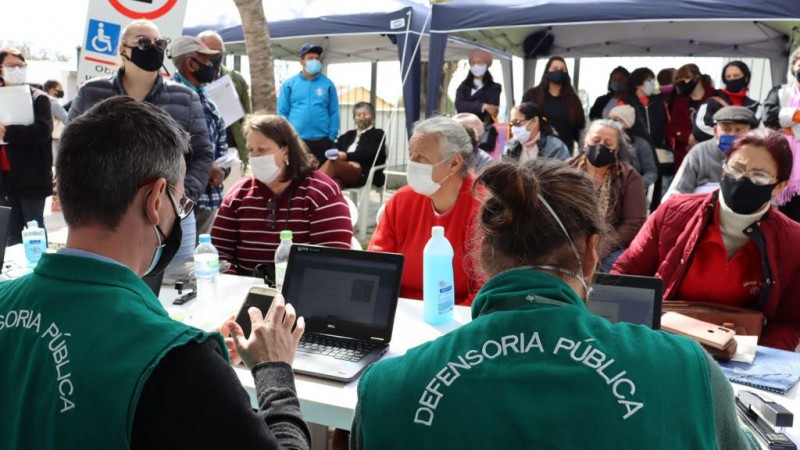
x=534, y=368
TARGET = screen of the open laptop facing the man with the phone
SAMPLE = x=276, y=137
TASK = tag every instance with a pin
x=343, y=292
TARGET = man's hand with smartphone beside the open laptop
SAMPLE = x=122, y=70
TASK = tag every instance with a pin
x=273, y=338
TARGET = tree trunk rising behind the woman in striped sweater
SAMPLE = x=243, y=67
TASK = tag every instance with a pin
x=259, y=51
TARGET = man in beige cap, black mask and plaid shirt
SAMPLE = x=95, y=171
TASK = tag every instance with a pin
x=192, y=58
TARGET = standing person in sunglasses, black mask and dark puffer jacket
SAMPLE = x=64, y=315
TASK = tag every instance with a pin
x=142, y=51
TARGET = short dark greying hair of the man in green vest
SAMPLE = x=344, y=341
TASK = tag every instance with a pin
x=109, y=153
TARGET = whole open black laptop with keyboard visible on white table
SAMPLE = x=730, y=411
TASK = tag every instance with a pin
x=348, y=299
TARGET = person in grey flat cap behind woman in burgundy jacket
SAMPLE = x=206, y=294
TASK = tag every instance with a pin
x=701, y=169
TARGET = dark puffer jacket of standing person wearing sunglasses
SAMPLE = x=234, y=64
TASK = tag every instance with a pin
x=180, y=102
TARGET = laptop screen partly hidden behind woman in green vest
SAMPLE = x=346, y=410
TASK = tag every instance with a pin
x=624, y=298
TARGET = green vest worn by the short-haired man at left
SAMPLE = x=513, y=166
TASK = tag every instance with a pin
x=79, y=339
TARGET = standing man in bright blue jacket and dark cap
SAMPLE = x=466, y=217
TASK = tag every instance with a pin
x=309, y=102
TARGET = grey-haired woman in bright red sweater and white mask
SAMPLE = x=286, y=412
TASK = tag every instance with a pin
x=439, y=192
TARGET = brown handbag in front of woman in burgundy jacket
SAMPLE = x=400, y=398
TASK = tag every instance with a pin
x=746, y=322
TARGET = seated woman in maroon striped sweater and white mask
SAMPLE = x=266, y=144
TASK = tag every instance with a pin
x=286, y=192
